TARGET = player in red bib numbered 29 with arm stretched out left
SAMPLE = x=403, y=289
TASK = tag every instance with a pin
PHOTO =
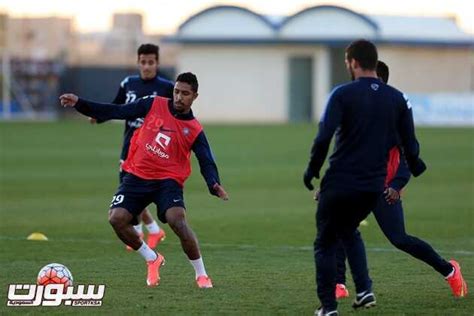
x=157, y=165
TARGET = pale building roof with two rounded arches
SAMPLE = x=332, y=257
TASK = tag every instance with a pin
x=326, y=24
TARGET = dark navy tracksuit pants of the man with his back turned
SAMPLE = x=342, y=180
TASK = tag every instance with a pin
x=337, y=218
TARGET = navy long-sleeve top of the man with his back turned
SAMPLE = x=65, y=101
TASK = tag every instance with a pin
x=368, y=118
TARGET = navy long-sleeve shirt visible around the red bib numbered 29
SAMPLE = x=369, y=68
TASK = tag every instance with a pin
x=139, y=108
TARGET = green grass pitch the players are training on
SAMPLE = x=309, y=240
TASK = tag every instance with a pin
x=58, y=179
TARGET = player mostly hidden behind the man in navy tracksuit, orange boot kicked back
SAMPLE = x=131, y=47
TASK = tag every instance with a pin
x=389, y=216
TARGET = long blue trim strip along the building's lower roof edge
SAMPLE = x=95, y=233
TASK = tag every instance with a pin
x=329, y=42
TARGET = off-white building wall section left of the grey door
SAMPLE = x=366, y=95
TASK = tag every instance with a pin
x=238, y=83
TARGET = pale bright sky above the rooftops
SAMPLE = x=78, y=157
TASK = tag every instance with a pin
x=164, y=16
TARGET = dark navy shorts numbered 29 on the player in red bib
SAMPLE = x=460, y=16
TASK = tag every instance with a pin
x=135, y=194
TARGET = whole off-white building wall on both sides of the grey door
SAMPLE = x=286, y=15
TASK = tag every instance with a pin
x=250, y=83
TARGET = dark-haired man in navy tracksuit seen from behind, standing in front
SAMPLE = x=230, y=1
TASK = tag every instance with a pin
x=367, y=118
